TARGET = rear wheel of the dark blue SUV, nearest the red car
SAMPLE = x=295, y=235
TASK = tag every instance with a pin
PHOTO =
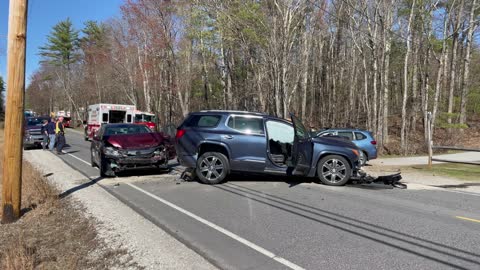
x=212, y=168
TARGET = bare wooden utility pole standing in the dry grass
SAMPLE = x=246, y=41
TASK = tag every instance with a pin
x=12, y=158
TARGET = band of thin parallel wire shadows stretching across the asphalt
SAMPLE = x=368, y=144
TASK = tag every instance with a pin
x=427, y=249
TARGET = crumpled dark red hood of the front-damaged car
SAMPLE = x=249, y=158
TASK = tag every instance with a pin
x=136, y=141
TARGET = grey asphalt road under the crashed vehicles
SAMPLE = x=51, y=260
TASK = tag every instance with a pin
x=257, y=222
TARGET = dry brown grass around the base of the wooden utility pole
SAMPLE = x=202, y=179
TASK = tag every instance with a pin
x=53, y=233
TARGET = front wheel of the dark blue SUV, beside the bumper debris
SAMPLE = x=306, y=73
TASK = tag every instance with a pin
x=334, y=170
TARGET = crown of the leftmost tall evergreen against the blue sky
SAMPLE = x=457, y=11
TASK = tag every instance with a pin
x=62, y=46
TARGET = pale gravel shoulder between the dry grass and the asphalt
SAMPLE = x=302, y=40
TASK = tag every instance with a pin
x=119, y=225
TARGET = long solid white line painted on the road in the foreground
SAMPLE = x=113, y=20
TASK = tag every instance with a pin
x=222, y=230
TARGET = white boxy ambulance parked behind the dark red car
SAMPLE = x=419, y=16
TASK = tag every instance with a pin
x=99, y=114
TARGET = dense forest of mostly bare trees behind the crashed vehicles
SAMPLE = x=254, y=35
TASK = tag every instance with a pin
x=379, y=65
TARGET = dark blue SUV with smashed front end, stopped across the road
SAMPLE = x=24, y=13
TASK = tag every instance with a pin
x=215, y=143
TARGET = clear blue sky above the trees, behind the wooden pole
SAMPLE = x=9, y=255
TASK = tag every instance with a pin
x=44, y=14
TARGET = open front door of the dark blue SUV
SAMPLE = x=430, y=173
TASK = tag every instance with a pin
x=302, y=150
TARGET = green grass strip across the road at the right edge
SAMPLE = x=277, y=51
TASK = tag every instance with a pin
x=458, y=171
